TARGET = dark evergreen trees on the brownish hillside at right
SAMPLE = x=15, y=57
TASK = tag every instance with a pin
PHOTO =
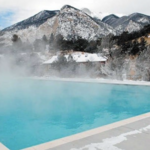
x=132, y=43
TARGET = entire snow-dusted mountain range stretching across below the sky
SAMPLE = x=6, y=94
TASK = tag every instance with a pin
x=72, y=23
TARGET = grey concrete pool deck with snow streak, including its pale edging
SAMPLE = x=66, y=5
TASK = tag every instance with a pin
x=129, y=134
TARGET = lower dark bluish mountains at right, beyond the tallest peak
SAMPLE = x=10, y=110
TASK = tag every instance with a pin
x=130, y=23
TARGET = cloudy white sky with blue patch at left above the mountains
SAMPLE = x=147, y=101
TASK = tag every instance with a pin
x=17, y=10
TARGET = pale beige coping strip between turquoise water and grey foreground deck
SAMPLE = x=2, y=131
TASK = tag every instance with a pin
x=65, y=140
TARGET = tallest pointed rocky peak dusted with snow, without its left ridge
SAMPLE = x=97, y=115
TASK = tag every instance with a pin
x=72, y=23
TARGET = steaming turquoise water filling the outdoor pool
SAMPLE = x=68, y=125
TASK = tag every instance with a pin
x=33, y=112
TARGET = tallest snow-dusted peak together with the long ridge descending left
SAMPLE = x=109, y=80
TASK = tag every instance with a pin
x=69, y=22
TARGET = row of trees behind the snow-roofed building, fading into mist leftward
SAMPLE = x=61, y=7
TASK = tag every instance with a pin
x=54, y=43
